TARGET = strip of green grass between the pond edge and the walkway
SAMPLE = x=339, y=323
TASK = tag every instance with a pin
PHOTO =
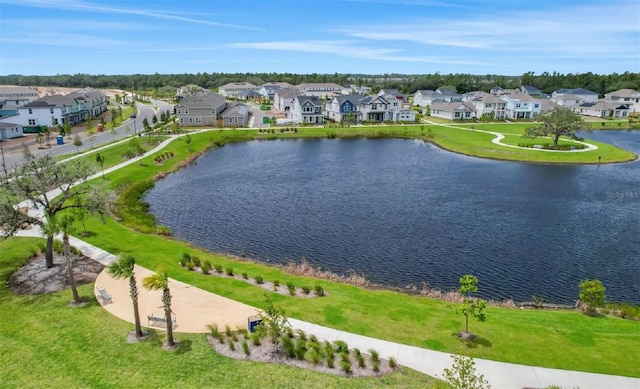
x=579, y=342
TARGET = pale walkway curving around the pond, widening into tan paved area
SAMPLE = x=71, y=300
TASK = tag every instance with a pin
x=195, y=308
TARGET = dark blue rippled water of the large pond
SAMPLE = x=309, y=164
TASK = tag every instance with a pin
x=403, y=212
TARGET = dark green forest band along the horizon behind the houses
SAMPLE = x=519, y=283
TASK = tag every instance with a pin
x=167, y=83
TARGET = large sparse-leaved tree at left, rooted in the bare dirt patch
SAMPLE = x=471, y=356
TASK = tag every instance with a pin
x=50, y=187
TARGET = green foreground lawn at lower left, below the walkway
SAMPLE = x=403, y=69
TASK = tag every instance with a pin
x=45, y=343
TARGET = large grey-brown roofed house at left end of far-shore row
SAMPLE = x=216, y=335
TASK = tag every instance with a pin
x=202, y=109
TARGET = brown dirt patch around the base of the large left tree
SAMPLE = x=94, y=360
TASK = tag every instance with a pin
x=35, y=278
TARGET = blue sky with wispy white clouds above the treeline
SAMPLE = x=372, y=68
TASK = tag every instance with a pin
x=508, y=37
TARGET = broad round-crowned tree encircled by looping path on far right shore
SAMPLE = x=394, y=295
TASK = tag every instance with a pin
x=558, y=122
